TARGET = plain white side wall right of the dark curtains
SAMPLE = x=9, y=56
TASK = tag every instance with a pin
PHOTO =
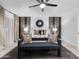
x=69, y=27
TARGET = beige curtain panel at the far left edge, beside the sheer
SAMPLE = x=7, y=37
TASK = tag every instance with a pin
x=1, y=29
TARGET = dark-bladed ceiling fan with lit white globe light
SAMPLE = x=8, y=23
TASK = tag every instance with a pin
x=42, y=4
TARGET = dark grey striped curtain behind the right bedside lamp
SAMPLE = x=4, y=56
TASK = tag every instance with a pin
x=55, y=22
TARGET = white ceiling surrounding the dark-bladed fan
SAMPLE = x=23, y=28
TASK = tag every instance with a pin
x=20, y=7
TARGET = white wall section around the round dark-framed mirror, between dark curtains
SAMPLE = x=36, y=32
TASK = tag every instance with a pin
x=34, y=27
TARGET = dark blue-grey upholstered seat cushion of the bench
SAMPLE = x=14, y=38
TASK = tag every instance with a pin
x=43, y=45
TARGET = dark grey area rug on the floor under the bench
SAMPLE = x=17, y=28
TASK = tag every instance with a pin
x=66, y=54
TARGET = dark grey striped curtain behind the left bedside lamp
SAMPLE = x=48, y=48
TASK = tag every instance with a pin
x=23, y=23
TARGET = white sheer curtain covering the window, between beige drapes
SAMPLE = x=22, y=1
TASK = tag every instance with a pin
x=8, y=29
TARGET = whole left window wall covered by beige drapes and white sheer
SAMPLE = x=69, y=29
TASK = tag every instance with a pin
x=9, y=28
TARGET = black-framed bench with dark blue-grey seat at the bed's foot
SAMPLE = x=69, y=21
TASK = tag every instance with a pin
x=40, y=45
